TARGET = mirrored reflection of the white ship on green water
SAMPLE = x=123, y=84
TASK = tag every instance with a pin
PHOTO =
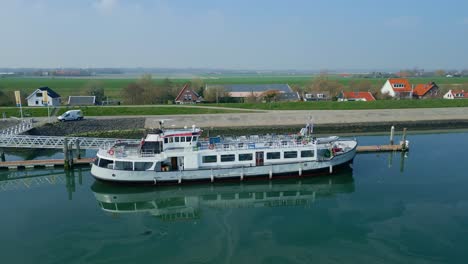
x=186, y=202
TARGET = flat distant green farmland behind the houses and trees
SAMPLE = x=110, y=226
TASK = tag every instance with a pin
x=68, y=86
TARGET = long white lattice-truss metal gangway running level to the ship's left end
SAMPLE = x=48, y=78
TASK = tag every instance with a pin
x=53, y=142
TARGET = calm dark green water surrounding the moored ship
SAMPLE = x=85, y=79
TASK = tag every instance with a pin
x=388, y=209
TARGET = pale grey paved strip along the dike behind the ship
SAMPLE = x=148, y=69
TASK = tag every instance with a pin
x=281, y=118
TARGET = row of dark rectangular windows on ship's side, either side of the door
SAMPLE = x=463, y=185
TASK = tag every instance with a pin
x=249, y=156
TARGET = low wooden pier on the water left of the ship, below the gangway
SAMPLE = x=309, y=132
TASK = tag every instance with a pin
x=31, y=164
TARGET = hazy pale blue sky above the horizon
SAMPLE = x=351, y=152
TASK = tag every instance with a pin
x=240, y=34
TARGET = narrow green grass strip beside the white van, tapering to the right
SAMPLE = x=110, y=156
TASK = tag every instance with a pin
x=147, y=110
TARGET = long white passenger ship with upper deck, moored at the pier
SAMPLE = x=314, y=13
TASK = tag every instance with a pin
x=180, y=155
